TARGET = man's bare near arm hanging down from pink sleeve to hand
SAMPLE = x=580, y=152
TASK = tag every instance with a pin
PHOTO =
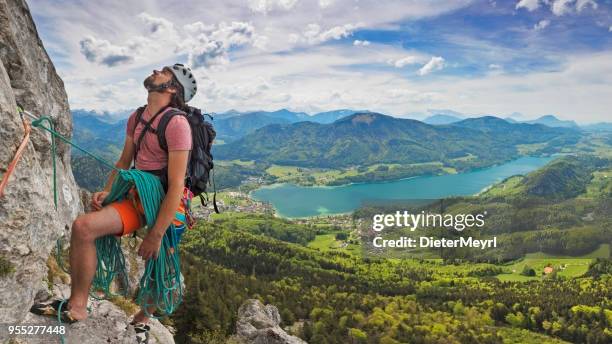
x=177, y=165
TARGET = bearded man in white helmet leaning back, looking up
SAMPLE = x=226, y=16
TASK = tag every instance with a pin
x=171, y=87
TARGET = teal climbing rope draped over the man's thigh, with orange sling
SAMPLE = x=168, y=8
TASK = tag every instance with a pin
x=161, y=284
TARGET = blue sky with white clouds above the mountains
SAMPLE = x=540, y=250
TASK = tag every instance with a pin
x=405, y=58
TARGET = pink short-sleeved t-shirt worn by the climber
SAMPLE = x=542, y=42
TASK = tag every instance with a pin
x=150, y=155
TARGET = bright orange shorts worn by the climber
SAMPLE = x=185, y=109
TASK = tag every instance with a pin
x=132, y=213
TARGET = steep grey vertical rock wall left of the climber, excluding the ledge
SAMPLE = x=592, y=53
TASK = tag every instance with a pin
x=30, y=223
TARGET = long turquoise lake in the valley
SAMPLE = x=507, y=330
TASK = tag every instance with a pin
x=291, y=200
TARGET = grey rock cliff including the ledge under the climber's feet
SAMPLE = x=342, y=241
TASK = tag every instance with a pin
x=29, y=222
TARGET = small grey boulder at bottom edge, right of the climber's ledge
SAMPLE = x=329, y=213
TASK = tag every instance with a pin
x=259, y=324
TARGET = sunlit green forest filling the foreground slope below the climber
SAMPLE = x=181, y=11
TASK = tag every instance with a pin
x=336, y=297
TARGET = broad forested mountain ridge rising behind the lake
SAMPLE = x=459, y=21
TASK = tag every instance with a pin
x=370, y=138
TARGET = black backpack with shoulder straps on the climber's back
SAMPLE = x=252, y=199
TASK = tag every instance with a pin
x=200, y=158
